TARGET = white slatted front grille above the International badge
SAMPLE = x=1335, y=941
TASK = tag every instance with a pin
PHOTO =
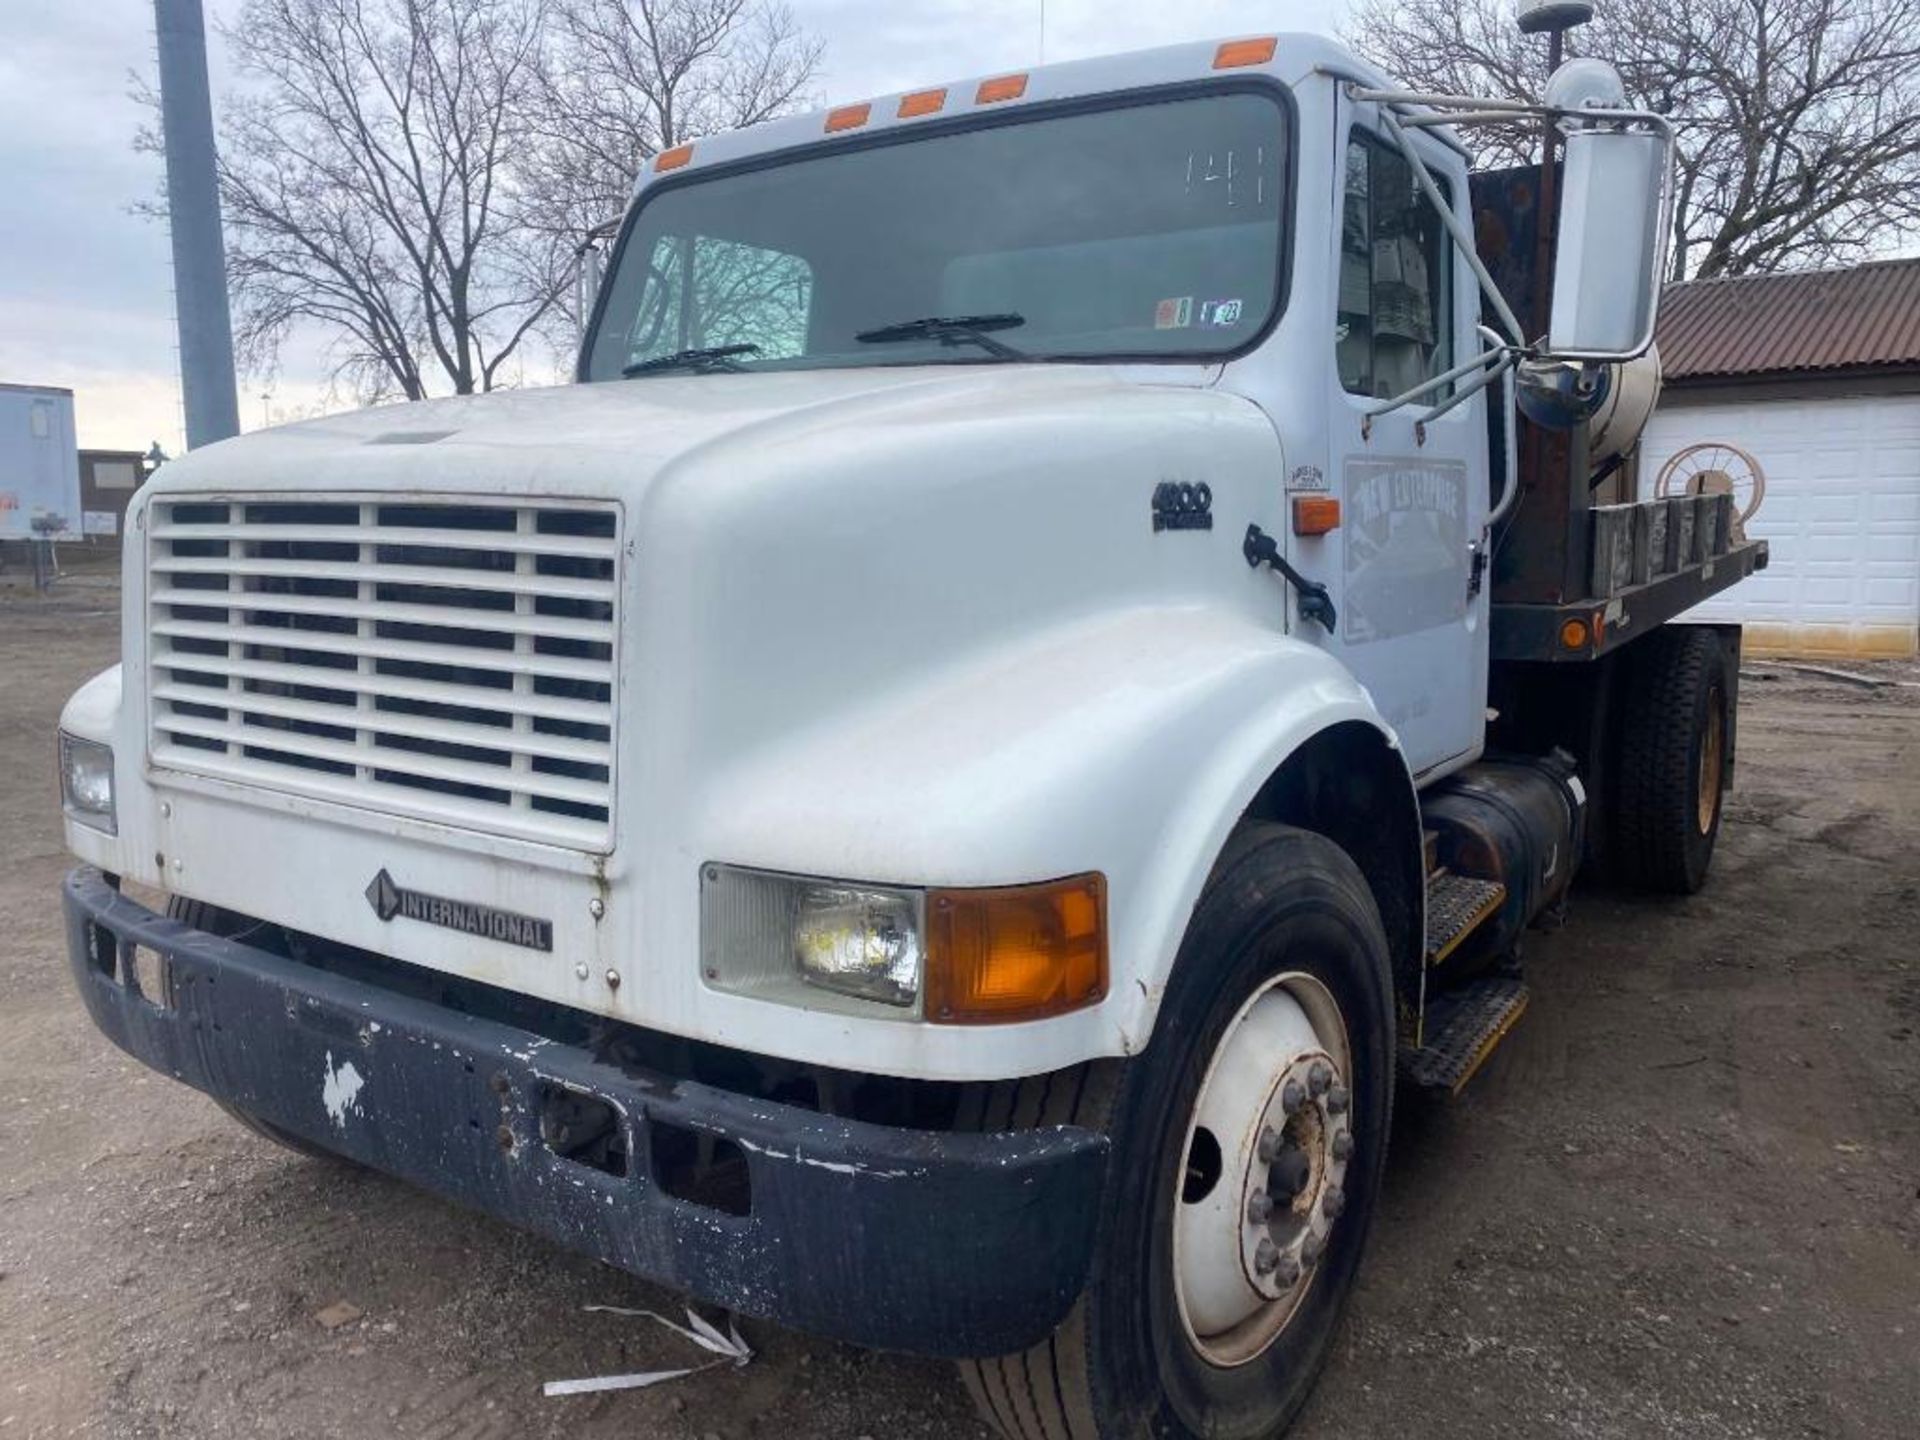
x=443, y=660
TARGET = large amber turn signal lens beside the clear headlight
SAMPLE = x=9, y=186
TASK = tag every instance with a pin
x=1017, y=953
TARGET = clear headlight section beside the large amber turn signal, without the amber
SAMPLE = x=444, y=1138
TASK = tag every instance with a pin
x=771, y=936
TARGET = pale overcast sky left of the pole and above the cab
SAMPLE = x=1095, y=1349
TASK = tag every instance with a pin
x=87, y=287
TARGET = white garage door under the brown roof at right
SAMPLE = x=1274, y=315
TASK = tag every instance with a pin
x=1842, y=514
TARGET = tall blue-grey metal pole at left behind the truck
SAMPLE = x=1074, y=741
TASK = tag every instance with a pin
x=195, y=226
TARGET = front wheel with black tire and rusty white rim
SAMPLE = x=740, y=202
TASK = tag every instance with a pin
x=1247, y=1157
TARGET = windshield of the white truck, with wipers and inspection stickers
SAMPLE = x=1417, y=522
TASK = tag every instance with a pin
x=1136, y=231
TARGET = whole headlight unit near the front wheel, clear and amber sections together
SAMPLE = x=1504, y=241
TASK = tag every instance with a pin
x=949, y=957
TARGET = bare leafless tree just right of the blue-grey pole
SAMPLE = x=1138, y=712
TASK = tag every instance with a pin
x=370, y=191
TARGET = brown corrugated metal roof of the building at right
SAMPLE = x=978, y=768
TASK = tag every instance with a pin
x=1867, y=316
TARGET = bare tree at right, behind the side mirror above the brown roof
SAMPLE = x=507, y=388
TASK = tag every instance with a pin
x=1800, y=120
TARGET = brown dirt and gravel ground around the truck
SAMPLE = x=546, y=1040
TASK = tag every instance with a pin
x=1685, y=1199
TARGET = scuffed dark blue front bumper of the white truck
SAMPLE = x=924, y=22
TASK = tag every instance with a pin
x=938, y=1243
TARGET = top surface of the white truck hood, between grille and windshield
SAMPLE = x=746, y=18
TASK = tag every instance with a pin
x=606, y=439
